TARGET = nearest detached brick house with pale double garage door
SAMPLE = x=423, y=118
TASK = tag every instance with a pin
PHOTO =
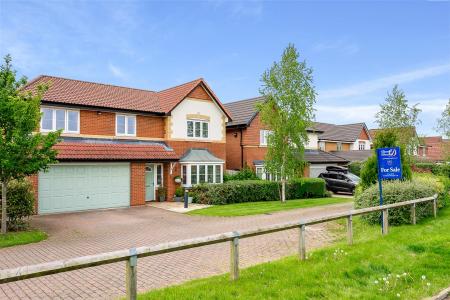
x=120, y=145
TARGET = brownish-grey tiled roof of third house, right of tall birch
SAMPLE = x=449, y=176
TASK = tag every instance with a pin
x=344, y=133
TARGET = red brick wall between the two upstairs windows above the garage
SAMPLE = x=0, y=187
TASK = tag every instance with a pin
x=92, y=123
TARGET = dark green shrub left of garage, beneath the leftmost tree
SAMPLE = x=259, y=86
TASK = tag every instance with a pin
x=20, y=203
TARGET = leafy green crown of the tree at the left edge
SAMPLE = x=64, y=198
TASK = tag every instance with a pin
x=22, y=152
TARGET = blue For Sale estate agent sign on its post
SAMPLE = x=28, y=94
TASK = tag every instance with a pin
x=389, y=167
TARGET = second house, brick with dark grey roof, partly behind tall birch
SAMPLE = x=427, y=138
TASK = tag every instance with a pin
x=247, y=142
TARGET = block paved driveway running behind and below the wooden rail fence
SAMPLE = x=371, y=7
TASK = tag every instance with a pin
x=87, y=233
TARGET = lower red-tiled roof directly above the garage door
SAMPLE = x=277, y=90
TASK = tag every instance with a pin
x=108, y=151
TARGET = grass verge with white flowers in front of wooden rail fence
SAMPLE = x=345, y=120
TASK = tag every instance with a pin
x=411, y=262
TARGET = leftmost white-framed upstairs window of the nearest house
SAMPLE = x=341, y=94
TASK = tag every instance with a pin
x=60, y=119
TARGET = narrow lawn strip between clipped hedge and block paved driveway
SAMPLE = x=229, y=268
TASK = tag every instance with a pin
x=256, y=208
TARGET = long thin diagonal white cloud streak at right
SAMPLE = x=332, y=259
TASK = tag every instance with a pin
x=370, y=86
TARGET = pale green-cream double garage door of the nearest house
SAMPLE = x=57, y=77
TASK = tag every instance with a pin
x=75, y=187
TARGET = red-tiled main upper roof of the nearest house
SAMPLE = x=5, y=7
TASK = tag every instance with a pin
x=77, y=92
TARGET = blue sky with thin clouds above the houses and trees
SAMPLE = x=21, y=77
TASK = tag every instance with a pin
x=358, y=50
